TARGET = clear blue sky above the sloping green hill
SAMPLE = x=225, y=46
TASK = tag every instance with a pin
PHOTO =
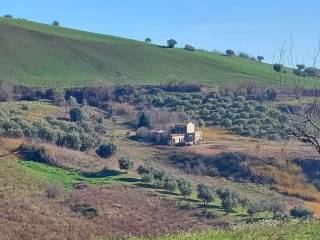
x=257, y=27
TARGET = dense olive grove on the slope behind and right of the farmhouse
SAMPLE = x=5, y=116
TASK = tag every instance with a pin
x=246, y=117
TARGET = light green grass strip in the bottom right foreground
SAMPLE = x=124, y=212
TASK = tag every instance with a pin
x=261, y=231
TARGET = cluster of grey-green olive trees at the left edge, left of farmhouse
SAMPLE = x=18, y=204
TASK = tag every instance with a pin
x=78, y=135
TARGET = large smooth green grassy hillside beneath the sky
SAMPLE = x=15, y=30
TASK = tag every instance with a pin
x=39, y=54
